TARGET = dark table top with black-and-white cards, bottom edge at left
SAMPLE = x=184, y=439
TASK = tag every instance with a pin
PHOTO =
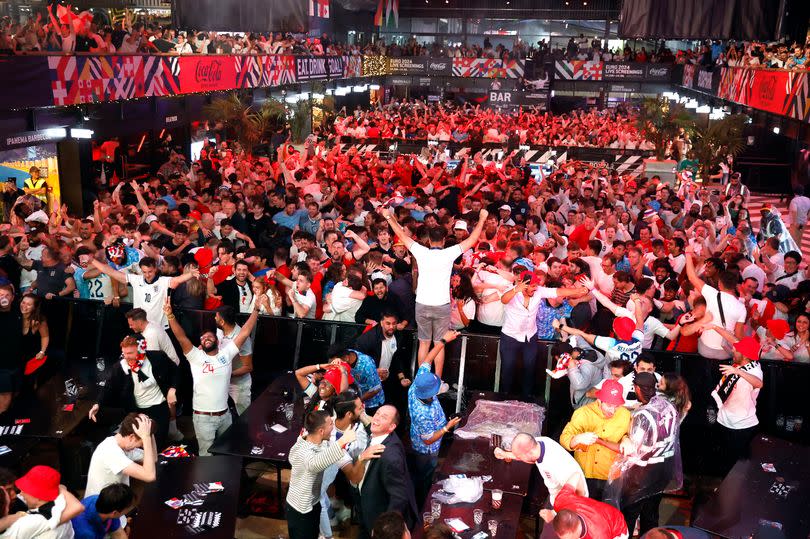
x=175, y=478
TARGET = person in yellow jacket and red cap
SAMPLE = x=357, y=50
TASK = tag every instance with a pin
x=594, y=433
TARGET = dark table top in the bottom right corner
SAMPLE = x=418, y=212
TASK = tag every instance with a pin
x=749, y=494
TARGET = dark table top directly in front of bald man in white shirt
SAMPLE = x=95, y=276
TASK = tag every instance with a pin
x=475, y=457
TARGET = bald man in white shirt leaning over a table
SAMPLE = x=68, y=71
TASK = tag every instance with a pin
x=556, y=465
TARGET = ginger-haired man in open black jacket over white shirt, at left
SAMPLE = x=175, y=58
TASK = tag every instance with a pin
x=142, y=382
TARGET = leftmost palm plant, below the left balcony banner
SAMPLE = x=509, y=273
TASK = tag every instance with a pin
x=249, y=124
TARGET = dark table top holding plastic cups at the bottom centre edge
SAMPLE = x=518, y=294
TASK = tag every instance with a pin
x=508, y=516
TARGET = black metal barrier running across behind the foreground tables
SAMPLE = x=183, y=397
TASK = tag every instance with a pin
x=83, y=328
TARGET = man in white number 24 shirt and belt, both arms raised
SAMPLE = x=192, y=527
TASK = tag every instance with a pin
x=211, y=368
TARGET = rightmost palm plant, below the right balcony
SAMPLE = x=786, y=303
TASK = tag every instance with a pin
x=711, y=143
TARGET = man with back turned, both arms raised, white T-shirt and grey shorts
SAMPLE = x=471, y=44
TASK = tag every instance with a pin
x=435, y=264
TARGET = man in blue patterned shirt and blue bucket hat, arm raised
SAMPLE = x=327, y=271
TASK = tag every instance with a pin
x=428, y=422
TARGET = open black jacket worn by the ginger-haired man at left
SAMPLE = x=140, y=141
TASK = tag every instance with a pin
x=118, y=391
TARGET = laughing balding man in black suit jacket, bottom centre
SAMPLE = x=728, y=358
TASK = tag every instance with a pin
x=386, y=485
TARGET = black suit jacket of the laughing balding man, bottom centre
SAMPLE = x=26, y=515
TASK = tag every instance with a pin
x=387, y=487
